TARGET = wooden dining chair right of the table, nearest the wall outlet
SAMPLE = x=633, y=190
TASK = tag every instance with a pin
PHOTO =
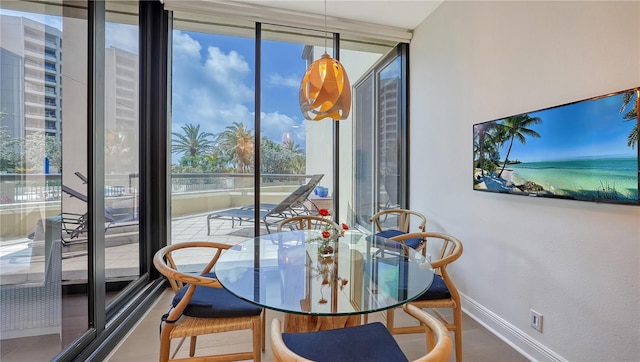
x=443, y=250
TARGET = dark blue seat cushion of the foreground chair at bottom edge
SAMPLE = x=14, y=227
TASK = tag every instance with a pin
x=369, y=342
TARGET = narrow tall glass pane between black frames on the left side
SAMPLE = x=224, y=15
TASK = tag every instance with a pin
x=122, y=250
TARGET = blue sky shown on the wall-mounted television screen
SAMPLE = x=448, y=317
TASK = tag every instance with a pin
x=591, y=128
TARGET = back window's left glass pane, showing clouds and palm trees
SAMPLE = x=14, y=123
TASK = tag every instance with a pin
x=212, y=126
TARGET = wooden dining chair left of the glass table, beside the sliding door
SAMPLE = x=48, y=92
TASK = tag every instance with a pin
x=201, y=306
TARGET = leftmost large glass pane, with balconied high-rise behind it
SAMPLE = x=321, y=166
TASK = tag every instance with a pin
x=40, y=50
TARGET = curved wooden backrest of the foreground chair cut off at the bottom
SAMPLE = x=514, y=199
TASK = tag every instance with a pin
x=437, y=336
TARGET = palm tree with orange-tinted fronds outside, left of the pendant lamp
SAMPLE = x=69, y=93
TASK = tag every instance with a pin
x=237, y=141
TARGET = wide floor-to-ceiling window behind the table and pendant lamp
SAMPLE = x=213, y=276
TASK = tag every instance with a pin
x=219, y=69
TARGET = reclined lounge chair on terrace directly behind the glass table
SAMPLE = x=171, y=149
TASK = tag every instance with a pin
x=269, y=213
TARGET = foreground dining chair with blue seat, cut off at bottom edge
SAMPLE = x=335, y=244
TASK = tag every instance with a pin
x=368, y=342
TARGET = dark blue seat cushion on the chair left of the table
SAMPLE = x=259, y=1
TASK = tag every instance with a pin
x=208, y=302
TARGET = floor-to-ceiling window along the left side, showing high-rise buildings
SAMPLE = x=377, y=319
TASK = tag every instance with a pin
x=69, y=175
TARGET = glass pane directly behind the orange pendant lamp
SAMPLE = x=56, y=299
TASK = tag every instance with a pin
x=293, y=148
